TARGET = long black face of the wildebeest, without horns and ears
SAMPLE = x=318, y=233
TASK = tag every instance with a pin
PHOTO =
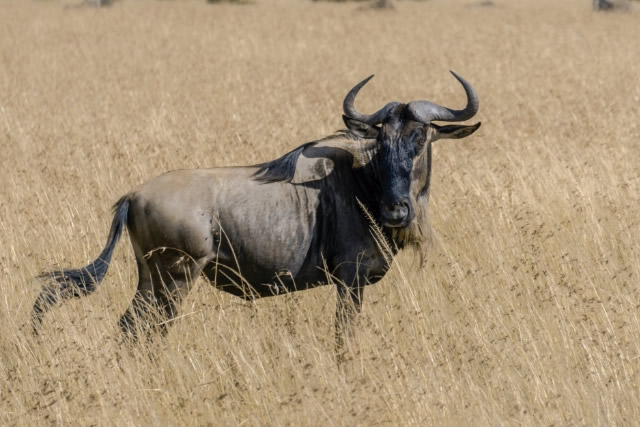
x=402, y=145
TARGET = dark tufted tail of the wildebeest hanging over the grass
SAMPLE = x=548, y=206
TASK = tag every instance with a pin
x=82, y=281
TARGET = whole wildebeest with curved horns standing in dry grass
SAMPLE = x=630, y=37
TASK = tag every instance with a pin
x=290, y=224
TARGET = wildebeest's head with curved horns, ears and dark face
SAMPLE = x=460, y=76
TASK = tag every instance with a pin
x=403, y=134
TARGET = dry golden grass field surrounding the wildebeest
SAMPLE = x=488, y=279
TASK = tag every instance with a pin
x=526, y=310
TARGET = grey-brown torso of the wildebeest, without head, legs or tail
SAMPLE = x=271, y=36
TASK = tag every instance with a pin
x=265, y=239
